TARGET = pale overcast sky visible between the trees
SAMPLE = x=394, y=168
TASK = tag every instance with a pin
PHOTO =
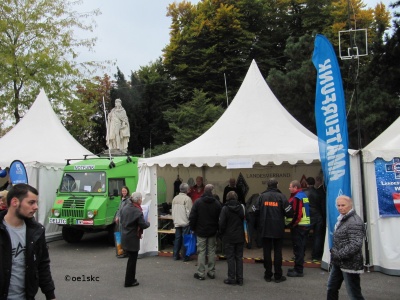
x=134, y=32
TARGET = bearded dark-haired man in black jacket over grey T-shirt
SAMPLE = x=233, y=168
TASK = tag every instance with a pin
x=24, y=257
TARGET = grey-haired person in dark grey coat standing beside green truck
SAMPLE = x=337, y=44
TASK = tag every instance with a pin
x=133, y=224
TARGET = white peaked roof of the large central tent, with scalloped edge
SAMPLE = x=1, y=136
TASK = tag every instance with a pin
x=255, y=127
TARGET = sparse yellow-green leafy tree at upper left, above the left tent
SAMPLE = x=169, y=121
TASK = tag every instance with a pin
x=38, y=49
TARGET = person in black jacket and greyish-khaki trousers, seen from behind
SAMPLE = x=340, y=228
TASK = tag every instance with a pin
x=203, y=220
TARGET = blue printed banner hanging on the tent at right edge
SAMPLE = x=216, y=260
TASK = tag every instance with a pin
x=388, y=186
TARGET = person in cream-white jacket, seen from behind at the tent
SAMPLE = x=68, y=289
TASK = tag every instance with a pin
x=181, y=207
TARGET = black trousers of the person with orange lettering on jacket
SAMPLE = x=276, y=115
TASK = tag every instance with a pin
x=268, y=243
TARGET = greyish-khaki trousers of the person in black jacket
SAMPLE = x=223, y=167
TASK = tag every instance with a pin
x=206, y=246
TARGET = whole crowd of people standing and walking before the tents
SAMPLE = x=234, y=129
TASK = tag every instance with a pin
x=196, y=209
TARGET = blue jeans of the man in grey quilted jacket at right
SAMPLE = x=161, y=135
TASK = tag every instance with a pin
x=351, y=280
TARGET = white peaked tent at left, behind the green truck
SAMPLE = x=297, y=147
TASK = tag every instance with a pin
x=43, y=144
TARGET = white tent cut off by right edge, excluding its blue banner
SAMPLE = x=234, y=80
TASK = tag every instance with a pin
x=383, y=232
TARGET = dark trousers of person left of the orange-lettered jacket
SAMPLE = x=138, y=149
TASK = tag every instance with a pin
x=234, y=257
